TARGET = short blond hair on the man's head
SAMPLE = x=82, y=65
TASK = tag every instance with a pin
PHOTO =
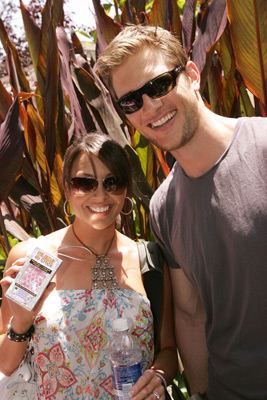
x=134, y=38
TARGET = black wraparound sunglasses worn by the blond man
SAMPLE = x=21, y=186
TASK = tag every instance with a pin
x=155, y=88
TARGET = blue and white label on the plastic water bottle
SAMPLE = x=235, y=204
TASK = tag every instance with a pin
x=124, y=377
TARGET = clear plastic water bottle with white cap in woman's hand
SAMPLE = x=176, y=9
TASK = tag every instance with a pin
x=125, y=358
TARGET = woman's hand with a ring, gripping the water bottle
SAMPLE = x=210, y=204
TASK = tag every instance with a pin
x=149, y=386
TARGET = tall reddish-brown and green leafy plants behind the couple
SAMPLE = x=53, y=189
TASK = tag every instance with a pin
x=227, y=39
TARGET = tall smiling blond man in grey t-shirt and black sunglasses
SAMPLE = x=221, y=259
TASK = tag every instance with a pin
x=209, y=215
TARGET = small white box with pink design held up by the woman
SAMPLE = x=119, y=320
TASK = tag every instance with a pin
x=33, y=278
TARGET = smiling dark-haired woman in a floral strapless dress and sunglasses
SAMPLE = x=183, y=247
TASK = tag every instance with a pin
x=73, y=320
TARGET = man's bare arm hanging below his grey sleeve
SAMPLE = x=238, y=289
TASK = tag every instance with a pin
x=190, y=331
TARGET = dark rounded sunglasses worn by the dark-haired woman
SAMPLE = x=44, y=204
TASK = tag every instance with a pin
x=83, y=185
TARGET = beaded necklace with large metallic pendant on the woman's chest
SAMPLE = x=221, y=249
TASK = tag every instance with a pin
x=103, y=273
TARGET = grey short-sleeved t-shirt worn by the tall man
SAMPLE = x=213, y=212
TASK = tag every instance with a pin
x=215, y=228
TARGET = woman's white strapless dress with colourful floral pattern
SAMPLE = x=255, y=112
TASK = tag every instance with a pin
x=71, y=339
